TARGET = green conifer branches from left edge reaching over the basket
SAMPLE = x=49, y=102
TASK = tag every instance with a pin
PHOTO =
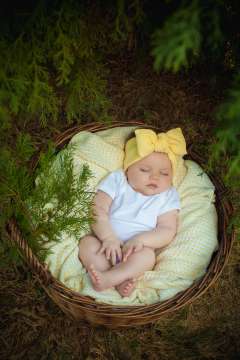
x=61, y=200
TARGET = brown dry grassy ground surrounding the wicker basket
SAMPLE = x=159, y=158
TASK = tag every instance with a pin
x=33, y=327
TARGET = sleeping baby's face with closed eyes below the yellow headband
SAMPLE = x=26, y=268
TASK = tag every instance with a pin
x=151, y=175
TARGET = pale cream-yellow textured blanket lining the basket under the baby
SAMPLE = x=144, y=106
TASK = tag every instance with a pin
x=183, y=261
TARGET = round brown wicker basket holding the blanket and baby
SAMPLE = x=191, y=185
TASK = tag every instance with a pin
x=84, y=308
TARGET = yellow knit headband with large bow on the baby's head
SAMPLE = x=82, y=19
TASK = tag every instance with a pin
x=147, y=141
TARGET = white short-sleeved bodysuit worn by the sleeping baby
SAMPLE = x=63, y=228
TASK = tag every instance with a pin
x=131, y=212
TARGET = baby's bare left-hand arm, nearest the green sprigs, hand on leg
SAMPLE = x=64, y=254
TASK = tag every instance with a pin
x=102, y=227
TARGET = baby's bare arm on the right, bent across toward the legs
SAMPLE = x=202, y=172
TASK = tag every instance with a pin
x=161, y=236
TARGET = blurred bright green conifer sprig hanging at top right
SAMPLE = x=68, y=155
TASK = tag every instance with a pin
x=178, y=40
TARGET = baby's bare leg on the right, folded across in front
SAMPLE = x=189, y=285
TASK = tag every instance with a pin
x=136, y=264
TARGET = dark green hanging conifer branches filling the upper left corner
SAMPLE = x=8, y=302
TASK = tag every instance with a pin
x=56, y=65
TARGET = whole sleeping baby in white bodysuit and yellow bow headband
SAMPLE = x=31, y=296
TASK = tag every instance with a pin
x=135, y=210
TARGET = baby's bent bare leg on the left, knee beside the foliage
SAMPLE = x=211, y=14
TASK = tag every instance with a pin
x=88, y=254
